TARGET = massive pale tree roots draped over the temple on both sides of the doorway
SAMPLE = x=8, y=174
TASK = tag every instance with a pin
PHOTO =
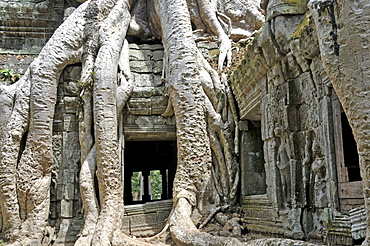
x=207, y=174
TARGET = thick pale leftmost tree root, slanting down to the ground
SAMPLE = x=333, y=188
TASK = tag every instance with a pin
x=25, y=181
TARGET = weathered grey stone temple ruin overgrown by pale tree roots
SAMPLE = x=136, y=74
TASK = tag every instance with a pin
x=300, y=170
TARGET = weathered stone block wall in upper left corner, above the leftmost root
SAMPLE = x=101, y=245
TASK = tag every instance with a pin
x=27, y=25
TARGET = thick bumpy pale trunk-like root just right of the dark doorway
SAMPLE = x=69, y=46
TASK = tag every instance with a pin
x=193, y=175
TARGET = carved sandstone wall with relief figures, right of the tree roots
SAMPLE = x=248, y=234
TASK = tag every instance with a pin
x=282, y=85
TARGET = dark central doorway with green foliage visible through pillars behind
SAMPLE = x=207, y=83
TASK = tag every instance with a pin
x=149, y=170
